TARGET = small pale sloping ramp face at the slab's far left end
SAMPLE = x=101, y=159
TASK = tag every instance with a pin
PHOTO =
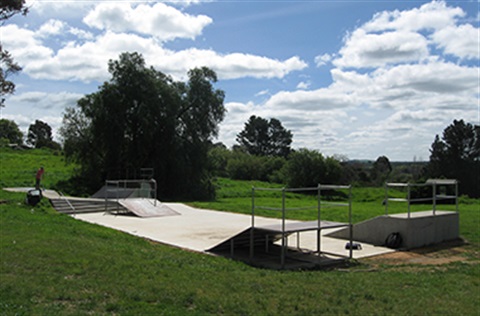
x=147, y=207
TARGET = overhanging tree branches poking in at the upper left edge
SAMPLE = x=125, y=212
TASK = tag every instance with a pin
x=8, y=8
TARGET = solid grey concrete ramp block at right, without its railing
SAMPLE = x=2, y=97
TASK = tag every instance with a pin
x=420, y=229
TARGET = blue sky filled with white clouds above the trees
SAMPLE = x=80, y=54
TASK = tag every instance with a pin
x=354, y=78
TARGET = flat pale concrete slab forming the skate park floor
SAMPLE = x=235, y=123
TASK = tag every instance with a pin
x=200, y=230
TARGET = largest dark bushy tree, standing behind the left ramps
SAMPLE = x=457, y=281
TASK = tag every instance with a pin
x=143, y=118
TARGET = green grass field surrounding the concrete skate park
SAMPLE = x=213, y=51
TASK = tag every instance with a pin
x=52, y=264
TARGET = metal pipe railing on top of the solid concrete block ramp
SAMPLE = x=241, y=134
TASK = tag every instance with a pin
x=434, y=184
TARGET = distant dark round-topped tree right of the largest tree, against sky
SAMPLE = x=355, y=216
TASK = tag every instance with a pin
x=265, y=138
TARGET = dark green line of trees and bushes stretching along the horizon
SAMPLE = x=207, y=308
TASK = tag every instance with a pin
x=143, y=118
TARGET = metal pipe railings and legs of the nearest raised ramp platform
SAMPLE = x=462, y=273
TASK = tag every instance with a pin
x=285, y=229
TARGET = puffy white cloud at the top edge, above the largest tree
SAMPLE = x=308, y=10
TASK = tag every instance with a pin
x=159, y=20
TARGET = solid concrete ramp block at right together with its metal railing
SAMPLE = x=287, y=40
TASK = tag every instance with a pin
x=416, y=229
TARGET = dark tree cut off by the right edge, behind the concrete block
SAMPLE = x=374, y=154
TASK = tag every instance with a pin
x=457, y=155
